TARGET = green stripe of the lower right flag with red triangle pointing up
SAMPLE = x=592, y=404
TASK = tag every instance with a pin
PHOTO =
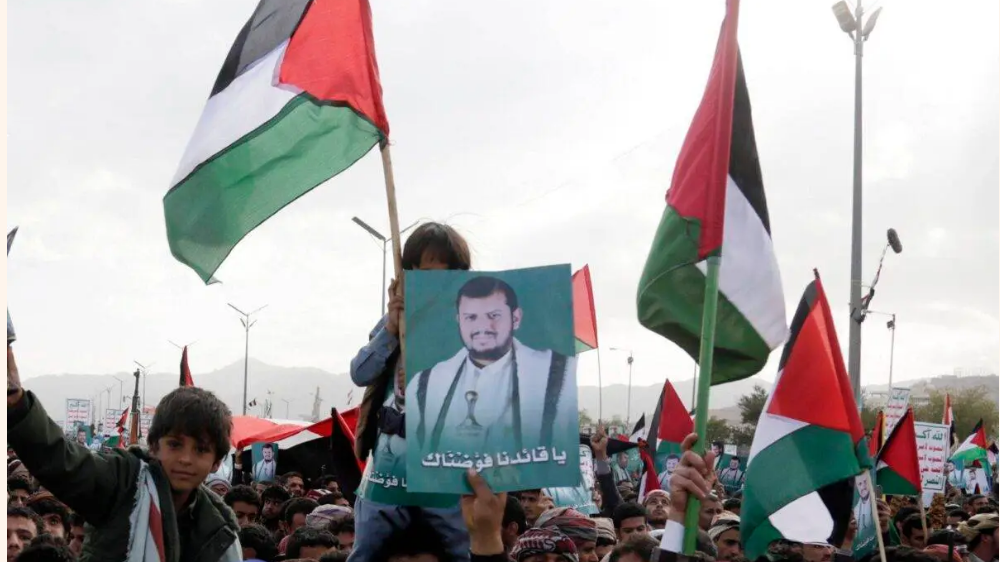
x=795, y=465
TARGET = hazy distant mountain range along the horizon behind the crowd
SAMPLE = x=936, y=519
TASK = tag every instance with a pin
x=298, y=385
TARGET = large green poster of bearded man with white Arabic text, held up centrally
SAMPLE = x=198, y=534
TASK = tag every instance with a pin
x=491, y=379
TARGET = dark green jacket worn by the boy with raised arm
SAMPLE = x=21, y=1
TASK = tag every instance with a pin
x=102, y=489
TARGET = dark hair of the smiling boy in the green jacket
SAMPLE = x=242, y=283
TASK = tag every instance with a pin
x=196, y=413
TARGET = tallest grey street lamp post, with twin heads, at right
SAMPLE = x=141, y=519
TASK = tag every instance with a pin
x=859, y=31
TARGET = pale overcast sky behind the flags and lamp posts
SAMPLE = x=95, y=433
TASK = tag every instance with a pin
x=546, y=132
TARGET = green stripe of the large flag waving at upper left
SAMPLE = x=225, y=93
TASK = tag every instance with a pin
x=236, y=190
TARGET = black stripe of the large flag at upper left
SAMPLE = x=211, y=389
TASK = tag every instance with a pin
x=271, y=24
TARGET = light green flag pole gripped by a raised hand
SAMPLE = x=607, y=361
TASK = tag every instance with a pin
x=704, y=384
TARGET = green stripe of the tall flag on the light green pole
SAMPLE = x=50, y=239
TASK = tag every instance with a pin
x=671, y=297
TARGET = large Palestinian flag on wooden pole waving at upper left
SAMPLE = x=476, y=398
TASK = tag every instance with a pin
x=297, y=101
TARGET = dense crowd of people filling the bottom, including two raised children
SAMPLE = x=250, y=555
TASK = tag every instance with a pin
x=164, y=502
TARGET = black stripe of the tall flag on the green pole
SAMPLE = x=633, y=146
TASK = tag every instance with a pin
x=744, y=163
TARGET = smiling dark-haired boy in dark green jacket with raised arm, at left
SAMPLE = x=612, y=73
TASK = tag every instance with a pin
x=138, y=507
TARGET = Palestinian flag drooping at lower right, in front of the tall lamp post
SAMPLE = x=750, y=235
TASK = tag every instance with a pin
x=809, y=444
